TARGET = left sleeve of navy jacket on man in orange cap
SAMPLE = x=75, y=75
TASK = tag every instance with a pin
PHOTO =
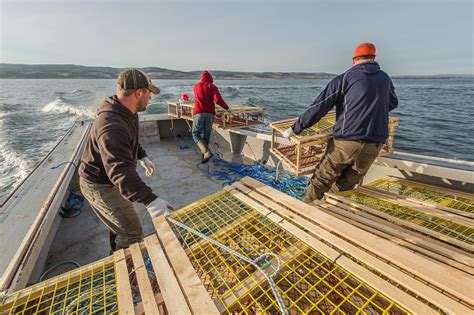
x=330, y=96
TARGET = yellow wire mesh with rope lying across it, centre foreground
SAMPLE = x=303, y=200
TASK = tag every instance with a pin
x=309, y=282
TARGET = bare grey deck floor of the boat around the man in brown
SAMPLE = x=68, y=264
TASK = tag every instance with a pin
x=178, y=179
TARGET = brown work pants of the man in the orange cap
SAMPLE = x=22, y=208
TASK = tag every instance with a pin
x=342, y=167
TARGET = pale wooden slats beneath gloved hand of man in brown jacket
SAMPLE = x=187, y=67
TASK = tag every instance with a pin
x=181, y=291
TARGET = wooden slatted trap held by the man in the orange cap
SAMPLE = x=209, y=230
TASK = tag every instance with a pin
x=301, y=153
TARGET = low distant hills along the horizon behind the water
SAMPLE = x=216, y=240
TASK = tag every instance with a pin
x=22, y=71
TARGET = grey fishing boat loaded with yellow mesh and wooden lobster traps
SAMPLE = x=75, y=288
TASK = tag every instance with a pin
x=402, y=242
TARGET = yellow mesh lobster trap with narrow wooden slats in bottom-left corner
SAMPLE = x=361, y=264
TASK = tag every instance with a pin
x=91, y=289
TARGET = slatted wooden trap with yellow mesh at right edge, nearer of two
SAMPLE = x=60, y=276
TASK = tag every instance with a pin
x=440, y=236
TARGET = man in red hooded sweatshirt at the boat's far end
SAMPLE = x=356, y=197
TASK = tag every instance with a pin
x=206, y=95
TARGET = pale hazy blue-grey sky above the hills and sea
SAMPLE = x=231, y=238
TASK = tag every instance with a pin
x=412, y=37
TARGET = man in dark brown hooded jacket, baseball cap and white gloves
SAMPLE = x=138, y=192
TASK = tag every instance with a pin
x=108, y=176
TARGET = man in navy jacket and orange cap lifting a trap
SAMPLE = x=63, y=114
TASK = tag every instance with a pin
x=363, y=96
